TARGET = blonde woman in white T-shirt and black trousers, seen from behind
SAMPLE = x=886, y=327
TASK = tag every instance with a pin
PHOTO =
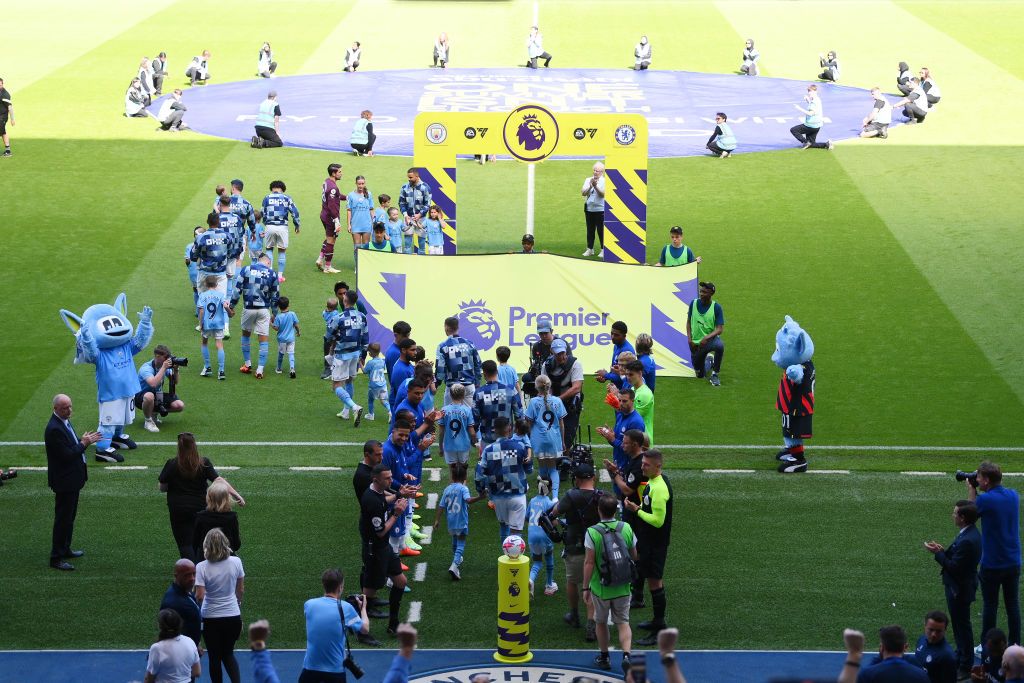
x=221, y=585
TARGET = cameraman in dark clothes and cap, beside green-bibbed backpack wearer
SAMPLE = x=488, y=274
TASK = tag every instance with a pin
x=579, y=506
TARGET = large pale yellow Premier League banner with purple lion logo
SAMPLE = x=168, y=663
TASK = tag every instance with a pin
x=501, y=298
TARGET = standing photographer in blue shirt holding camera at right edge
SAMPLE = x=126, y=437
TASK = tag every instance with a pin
x=999, y=509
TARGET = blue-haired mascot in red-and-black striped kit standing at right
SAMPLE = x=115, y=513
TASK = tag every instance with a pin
x=794, y=350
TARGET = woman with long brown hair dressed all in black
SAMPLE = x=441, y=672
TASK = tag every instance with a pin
x=185, y=481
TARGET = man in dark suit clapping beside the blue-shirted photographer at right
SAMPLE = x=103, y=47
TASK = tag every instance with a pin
x=960, y=577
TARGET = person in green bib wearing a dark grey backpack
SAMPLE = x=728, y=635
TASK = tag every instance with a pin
x=608, y=576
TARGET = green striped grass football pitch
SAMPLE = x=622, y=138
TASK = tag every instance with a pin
x=904, y=259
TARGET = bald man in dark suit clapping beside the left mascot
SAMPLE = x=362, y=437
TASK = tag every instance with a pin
x=66, y=474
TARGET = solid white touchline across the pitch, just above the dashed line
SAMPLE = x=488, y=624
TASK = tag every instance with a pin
x=661, y=447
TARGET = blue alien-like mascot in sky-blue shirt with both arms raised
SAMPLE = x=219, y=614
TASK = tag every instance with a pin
x=104, y=337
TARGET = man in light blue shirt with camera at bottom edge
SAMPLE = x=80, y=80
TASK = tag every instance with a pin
x=328, y=655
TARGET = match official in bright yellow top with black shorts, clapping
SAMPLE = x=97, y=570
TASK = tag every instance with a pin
x=654, y=531
